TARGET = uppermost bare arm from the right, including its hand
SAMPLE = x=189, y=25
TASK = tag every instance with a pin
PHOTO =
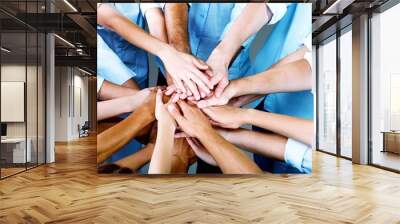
x=293, y=67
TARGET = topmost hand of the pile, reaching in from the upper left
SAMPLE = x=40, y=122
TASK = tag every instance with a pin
x=186, y=72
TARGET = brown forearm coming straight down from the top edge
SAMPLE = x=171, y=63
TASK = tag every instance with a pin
x=176, y=20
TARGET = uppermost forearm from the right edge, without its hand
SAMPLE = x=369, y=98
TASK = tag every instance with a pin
x=276, y=80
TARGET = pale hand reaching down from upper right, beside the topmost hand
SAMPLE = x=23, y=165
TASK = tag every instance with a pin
x=219, y=66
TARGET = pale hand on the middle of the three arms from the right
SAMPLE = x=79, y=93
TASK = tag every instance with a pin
x=226, y=116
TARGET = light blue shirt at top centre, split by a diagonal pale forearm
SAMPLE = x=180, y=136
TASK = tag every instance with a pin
x=207, y=24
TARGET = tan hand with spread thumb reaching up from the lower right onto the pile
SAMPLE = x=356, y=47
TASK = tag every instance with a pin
x=192, y=121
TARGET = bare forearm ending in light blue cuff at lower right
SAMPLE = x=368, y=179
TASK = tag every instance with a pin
x=270, y=145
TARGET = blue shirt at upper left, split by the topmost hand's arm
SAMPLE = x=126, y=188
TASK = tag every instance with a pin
x=134, y=58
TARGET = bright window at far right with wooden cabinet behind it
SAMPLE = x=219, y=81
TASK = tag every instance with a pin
x=385, y=89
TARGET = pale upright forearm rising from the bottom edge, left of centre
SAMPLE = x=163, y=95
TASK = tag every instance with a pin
x=161, y=159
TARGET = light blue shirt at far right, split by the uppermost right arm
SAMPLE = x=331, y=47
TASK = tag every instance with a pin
x=286, y=37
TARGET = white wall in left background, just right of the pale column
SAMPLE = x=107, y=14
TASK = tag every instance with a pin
x=70, y=83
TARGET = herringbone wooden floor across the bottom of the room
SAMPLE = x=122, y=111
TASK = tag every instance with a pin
x=70, y=191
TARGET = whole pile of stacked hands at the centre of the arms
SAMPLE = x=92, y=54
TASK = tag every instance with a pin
x=197, y=104
